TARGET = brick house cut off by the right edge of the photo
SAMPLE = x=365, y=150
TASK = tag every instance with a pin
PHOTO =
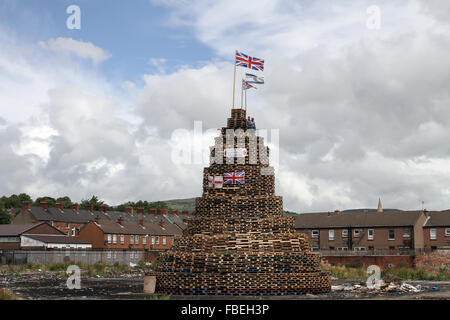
x=437, y=230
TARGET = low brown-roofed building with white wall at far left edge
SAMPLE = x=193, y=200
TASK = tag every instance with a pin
x=40, y=236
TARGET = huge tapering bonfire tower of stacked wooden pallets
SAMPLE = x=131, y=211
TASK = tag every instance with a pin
x=239, y=242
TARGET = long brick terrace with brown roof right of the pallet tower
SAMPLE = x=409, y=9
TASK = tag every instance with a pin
x=363, y=231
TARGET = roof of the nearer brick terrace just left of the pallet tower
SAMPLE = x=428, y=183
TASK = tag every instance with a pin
x=129, y=227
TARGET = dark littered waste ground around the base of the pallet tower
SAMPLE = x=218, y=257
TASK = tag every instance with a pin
x=52, y=286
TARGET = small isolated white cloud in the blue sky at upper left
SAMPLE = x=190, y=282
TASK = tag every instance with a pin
x=84, y=50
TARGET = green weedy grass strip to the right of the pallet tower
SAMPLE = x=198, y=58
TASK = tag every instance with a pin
x=353, y=271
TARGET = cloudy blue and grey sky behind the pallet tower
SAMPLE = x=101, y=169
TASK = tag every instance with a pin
x=358, y=93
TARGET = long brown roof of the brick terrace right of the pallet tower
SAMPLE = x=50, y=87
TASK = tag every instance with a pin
x=356, y=219
